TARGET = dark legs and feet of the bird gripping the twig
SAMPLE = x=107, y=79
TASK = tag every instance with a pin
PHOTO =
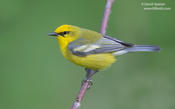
x=89, y=74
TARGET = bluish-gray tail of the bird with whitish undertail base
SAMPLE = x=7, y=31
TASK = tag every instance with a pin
x=135, y=48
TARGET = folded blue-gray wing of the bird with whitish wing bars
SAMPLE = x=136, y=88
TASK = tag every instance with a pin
x=105, y=44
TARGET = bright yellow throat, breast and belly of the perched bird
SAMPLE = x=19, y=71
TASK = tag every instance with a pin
x=94, y=61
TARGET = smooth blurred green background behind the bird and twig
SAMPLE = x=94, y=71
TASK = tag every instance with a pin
x=34, y=74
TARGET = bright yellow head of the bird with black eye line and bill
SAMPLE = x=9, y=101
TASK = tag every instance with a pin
x=66, y=33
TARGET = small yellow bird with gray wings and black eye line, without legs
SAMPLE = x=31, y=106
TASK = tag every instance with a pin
x=90, y=49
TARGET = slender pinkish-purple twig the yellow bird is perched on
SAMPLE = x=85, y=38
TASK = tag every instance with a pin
x=87, y=81
